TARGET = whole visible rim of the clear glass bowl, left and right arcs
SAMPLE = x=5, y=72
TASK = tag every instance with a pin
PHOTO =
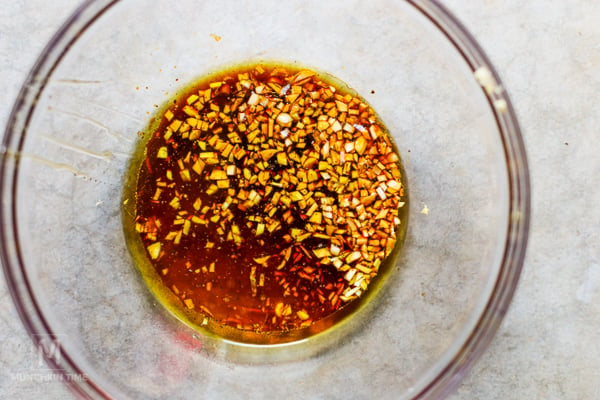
x=519, y=198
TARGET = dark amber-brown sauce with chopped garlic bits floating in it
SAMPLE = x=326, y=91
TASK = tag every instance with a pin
x=268, y=198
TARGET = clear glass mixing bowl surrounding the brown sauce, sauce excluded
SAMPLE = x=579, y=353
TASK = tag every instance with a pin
x=77, y=121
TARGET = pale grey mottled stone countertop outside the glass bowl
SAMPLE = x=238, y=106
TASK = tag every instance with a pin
x=548, y=54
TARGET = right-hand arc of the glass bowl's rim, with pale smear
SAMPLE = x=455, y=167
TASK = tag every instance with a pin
x=519, y=200
